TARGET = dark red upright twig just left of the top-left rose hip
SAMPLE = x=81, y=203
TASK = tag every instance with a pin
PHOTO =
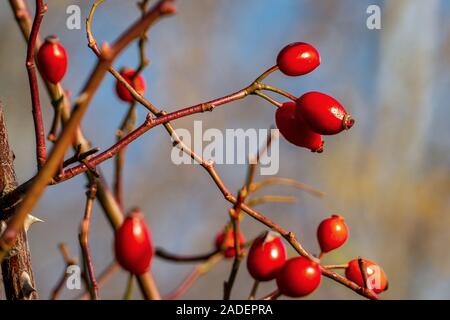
x=41, y=152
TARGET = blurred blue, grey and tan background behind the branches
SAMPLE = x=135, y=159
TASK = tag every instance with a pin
x=388, y=176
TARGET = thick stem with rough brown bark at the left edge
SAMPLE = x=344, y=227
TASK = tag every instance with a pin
x=17, y=273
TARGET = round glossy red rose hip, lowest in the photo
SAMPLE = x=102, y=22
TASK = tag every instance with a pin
x=298, y=277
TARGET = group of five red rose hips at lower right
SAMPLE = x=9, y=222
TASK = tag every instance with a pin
x=299, y=276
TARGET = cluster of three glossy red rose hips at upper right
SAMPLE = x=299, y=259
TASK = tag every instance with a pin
x=314, y=114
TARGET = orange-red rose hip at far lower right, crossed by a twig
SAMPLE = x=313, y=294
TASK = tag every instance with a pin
x=376, y=277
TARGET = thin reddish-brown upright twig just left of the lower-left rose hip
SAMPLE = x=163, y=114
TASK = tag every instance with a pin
x=84, y=239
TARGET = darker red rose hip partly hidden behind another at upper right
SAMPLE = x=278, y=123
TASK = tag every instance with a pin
x=295, y=130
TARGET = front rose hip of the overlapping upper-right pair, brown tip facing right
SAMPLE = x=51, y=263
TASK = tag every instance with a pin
x=323, y=114
